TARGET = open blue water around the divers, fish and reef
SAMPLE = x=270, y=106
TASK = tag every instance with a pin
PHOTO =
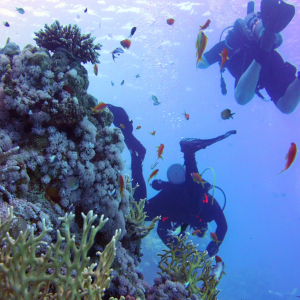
x=261, y=248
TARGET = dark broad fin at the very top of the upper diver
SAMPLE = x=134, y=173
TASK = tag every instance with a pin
x=276, y=15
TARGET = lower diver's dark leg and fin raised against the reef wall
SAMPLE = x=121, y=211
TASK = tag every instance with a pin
x=137, y=150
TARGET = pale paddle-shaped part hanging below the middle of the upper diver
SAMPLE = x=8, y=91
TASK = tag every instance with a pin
x=245, y=89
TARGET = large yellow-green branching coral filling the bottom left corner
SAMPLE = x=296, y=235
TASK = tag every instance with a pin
x=61, y=273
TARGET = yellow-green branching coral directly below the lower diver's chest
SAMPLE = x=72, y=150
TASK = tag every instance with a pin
x=183, y=262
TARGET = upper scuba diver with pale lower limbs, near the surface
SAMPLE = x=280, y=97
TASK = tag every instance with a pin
x=253, y=60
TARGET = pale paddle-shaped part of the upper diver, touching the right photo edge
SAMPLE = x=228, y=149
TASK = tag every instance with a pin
x=288, y=103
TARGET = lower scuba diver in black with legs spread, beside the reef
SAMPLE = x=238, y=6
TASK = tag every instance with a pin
x=181, y=202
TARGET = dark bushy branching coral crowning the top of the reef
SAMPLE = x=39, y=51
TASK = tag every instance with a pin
x=70, y=38
